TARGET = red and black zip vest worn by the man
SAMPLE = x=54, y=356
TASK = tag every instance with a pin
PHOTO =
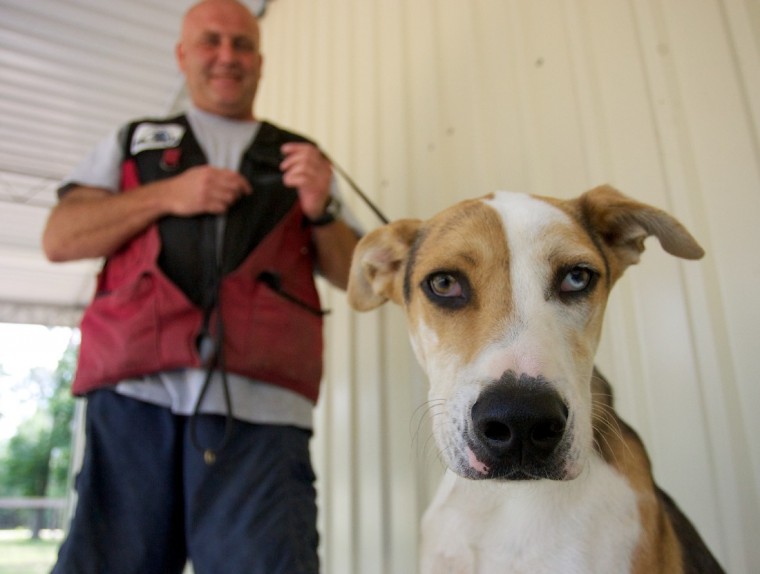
x=152, y=297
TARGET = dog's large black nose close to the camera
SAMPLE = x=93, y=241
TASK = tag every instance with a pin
x=519, y=422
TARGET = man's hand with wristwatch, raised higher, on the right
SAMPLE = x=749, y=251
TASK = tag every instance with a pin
x=309, y=172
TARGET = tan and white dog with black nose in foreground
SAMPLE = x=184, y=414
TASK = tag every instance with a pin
x=504, y=297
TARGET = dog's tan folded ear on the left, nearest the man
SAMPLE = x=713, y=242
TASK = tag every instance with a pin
x=378, y=264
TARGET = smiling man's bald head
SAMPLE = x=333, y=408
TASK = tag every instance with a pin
x=218, y=52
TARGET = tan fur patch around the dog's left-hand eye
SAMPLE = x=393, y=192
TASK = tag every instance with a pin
x=468, y=239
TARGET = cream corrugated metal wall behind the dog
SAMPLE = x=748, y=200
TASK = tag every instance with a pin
x=427, y=102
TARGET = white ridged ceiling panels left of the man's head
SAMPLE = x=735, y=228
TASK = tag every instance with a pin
x=70, y=72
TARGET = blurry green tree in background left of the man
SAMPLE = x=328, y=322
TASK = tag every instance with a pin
x=36, y=459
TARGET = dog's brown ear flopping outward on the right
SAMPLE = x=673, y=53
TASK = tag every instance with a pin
x=624, y=223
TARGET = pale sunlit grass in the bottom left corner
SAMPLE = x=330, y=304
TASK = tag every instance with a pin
x=19, y=554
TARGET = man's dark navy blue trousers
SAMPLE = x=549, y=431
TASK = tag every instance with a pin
x=148, y=502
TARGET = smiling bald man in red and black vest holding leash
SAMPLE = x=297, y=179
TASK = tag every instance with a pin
x=212, y=225
